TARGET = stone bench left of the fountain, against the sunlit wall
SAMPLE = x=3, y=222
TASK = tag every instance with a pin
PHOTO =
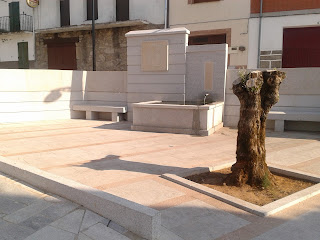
x=92, y=111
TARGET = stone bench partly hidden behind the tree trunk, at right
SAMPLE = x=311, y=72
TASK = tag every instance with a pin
x=281, y=116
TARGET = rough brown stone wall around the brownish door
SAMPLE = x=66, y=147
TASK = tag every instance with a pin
x=111, y=48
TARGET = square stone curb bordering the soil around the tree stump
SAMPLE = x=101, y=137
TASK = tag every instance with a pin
x=262, y=211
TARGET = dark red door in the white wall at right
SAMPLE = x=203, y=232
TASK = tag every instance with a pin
x=301, y=47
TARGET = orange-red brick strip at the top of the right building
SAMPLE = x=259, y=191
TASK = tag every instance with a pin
x=284, y=5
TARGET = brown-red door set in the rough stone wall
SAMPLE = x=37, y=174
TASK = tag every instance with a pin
x=62, y=56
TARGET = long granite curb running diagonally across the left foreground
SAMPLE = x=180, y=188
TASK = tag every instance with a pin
x=136, y=218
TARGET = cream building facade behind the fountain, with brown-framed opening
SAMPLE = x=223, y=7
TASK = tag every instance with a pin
x=213, y=22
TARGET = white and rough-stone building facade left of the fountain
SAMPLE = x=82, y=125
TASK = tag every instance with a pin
x=62, y=37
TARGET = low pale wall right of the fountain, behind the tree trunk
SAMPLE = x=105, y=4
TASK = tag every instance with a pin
x=300, y=92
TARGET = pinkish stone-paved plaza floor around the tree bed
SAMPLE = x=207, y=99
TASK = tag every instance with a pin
x=112, y=158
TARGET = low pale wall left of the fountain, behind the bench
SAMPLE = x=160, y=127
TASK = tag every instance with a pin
x=30, y=95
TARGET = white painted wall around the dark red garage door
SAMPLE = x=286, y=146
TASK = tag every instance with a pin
x=272, y=32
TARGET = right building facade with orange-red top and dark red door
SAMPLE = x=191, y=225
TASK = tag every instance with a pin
x=290, y=34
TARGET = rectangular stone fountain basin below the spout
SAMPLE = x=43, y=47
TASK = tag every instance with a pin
x=156, y=116
